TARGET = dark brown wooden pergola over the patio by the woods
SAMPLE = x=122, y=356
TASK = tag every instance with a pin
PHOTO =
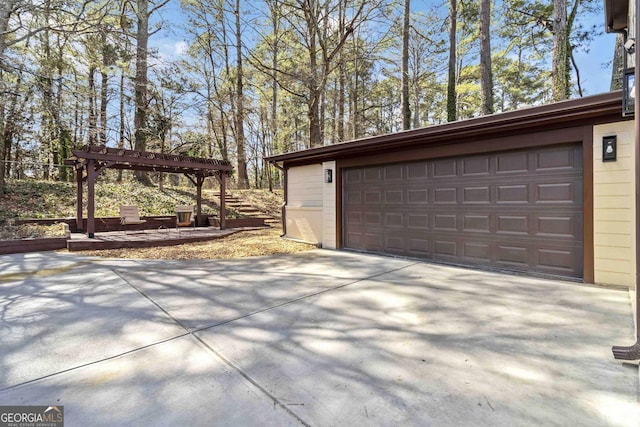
x=89, y=161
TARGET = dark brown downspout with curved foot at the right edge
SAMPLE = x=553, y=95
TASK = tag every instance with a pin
x=633, y=352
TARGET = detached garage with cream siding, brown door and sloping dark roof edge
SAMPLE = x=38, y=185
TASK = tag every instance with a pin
x=526, y=191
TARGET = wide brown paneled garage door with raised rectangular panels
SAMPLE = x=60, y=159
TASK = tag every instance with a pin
x=519, y=210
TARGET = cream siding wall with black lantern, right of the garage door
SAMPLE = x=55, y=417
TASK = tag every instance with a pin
x=614, y=207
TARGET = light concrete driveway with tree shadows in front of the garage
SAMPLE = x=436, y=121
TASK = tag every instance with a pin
x=321, y=338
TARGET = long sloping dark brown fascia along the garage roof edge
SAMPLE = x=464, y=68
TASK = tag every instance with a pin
x=595, y=109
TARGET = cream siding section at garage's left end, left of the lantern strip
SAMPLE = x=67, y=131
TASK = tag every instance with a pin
x=304, y=203
